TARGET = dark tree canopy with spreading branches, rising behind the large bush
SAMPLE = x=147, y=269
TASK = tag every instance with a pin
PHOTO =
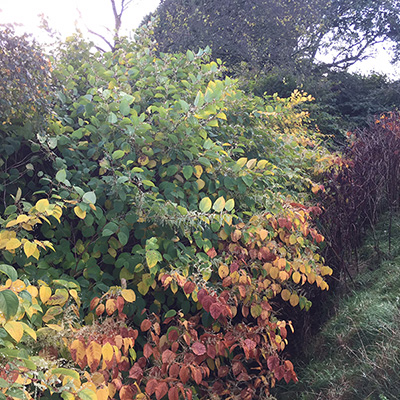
x=280, y=33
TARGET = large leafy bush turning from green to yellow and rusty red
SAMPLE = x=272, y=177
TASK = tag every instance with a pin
x=164, y=215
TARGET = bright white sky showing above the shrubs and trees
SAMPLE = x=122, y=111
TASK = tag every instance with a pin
x=63, y=16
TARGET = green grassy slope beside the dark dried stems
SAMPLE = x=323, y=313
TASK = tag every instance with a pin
x=357, y=353
